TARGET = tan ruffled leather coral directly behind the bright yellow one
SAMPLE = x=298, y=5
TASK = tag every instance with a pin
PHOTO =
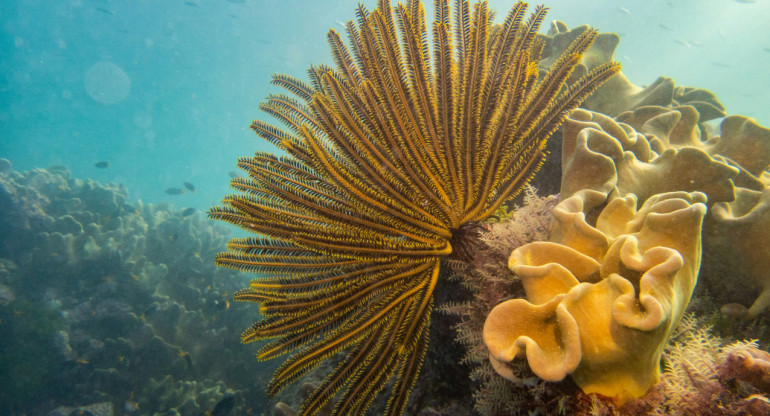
x=656, y=149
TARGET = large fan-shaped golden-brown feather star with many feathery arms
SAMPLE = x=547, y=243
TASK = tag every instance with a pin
x=387, y=156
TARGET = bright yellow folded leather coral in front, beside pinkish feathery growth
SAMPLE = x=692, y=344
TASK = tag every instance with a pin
x=602, y=300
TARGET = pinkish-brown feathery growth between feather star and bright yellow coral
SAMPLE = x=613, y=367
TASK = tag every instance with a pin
x=489, y=281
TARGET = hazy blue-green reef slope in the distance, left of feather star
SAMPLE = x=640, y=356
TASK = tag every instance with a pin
x=108, y=294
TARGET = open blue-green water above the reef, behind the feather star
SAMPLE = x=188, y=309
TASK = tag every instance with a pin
x=198, y=70
